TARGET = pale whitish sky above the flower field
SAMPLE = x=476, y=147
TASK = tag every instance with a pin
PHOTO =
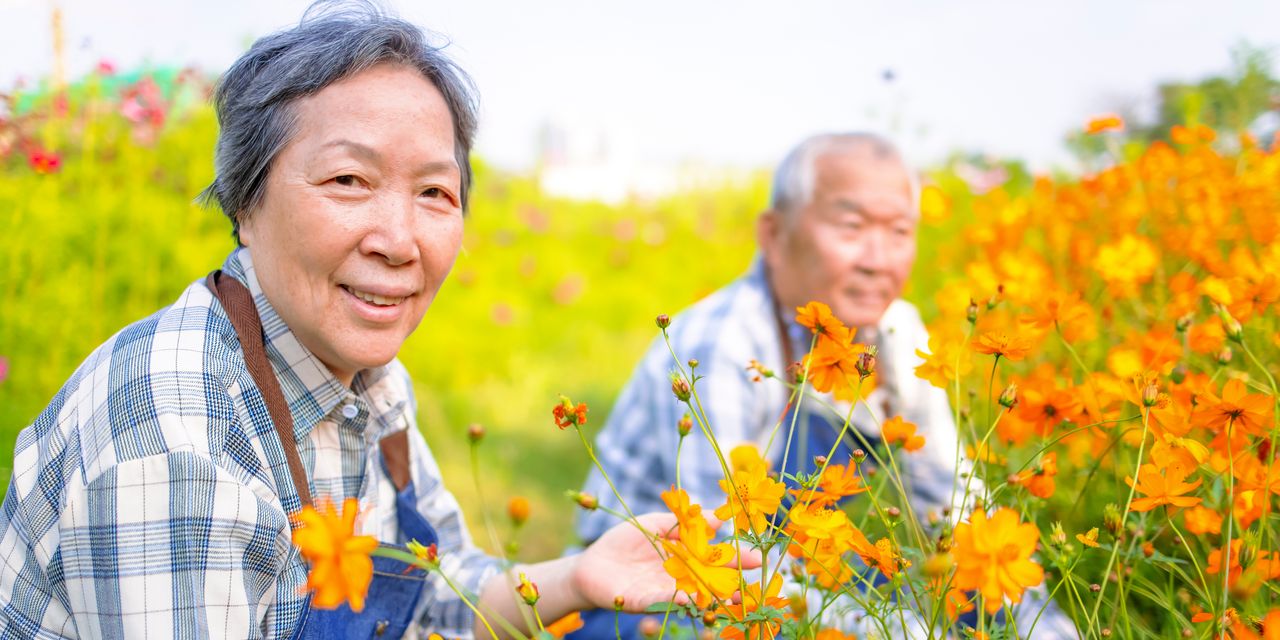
x=665, y=83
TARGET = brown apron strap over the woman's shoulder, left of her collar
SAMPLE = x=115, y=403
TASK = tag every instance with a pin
x=240, y=308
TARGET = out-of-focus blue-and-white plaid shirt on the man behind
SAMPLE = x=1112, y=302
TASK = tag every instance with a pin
x=725, y=332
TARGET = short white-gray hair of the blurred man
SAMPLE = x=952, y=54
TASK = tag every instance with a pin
x=796, y=177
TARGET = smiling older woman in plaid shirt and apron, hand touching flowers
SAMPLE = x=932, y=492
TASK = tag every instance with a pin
x=153, y=497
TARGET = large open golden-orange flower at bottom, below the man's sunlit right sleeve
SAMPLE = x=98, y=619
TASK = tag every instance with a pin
x=994, y=556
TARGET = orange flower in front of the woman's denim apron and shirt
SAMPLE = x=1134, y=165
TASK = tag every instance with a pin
x=341, y=569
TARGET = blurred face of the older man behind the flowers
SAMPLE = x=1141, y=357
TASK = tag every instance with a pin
x=853, y=245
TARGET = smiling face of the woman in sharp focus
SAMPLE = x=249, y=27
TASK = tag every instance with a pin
x=363, y=217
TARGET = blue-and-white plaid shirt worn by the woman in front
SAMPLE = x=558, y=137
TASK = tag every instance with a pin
x=150, y=499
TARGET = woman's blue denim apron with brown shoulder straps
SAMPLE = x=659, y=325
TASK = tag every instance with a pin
x=396, y=588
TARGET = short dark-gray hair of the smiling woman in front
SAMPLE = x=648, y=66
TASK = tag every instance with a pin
x=255, y=99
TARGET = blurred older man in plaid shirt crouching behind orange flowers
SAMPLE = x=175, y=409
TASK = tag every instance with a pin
x=840, y=230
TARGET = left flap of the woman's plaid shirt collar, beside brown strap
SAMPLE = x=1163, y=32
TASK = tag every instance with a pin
x=312, y=391
